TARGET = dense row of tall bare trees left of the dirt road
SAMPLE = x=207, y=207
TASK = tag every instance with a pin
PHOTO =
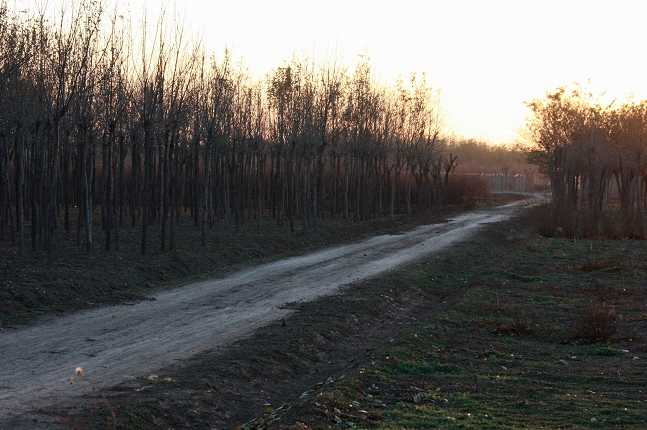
x=137, y=119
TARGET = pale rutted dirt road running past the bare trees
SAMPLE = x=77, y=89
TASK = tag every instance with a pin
x=117, y=343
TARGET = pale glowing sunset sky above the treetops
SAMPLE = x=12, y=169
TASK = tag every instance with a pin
x=486, y=56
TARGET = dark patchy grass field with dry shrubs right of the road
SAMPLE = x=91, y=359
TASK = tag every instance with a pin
x=538, y=333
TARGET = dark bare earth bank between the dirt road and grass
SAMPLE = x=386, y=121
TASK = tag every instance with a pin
x=328, y=338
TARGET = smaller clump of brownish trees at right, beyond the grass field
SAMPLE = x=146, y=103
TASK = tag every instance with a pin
x=595, y=154
